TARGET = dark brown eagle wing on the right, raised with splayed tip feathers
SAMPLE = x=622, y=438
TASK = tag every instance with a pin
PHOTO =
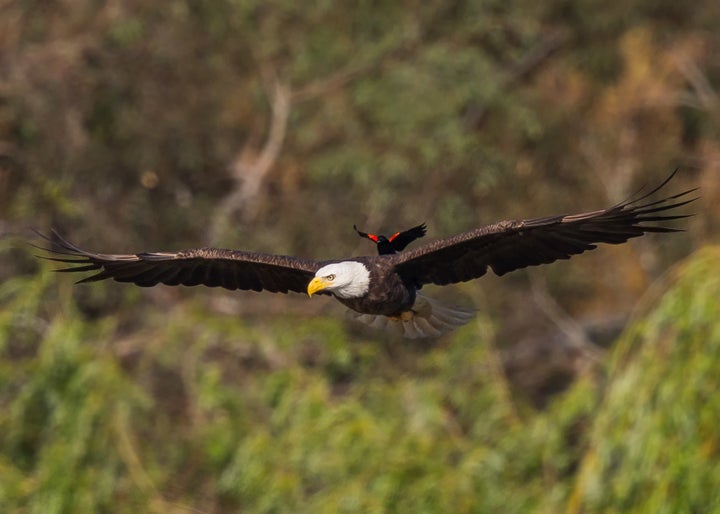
x=510, y=245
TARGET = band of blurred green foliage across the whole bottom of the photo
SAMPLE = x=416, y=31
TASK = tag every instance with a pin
x=200, y=412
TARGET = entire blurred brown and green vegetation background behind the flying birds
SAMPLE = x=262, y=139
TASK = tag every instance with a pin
x=583, y=386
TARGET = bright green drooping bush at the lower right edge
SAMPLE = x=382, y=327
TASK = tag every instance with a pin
x=654, y=446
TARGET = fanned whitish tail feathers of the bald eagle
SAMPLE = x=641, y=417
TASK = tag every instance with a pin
x=427, y=318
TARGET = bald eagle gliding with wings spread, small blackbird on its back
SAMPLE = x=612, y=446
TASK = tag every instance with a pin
x=383, y=290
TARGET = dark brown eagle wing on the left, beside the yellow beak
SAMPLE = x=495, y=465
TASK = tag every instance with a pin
x=212, y=267
